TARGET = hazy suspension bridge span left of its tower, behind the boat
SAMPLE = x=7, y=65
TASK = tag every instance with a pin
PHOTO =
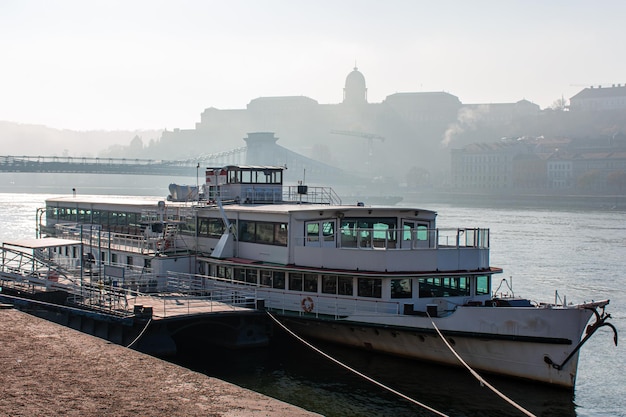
x=126, y=166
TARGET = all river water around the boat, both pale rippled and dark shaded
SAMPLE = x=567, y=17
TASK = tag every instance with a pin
x=580, y=254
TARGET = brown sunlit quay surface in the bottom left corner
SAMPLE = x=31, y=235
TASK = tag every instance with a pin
x=49, y=369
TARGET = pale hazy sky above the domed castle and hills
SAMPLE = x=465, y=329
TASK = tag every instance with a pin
x=147, y=64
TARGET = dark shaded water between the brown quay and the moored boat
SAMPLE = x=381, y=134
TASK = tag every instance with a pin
x=292, y=372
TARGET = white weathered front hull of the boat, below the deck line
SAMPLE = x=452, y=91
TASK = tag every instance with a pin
x=514, y=355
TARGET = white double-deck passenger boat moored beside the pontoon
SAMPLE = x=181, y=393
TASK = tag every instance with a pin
x=378, y=278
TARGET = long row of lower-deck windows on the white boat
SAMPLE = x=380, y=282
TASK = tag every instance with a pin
x=346, y=285
